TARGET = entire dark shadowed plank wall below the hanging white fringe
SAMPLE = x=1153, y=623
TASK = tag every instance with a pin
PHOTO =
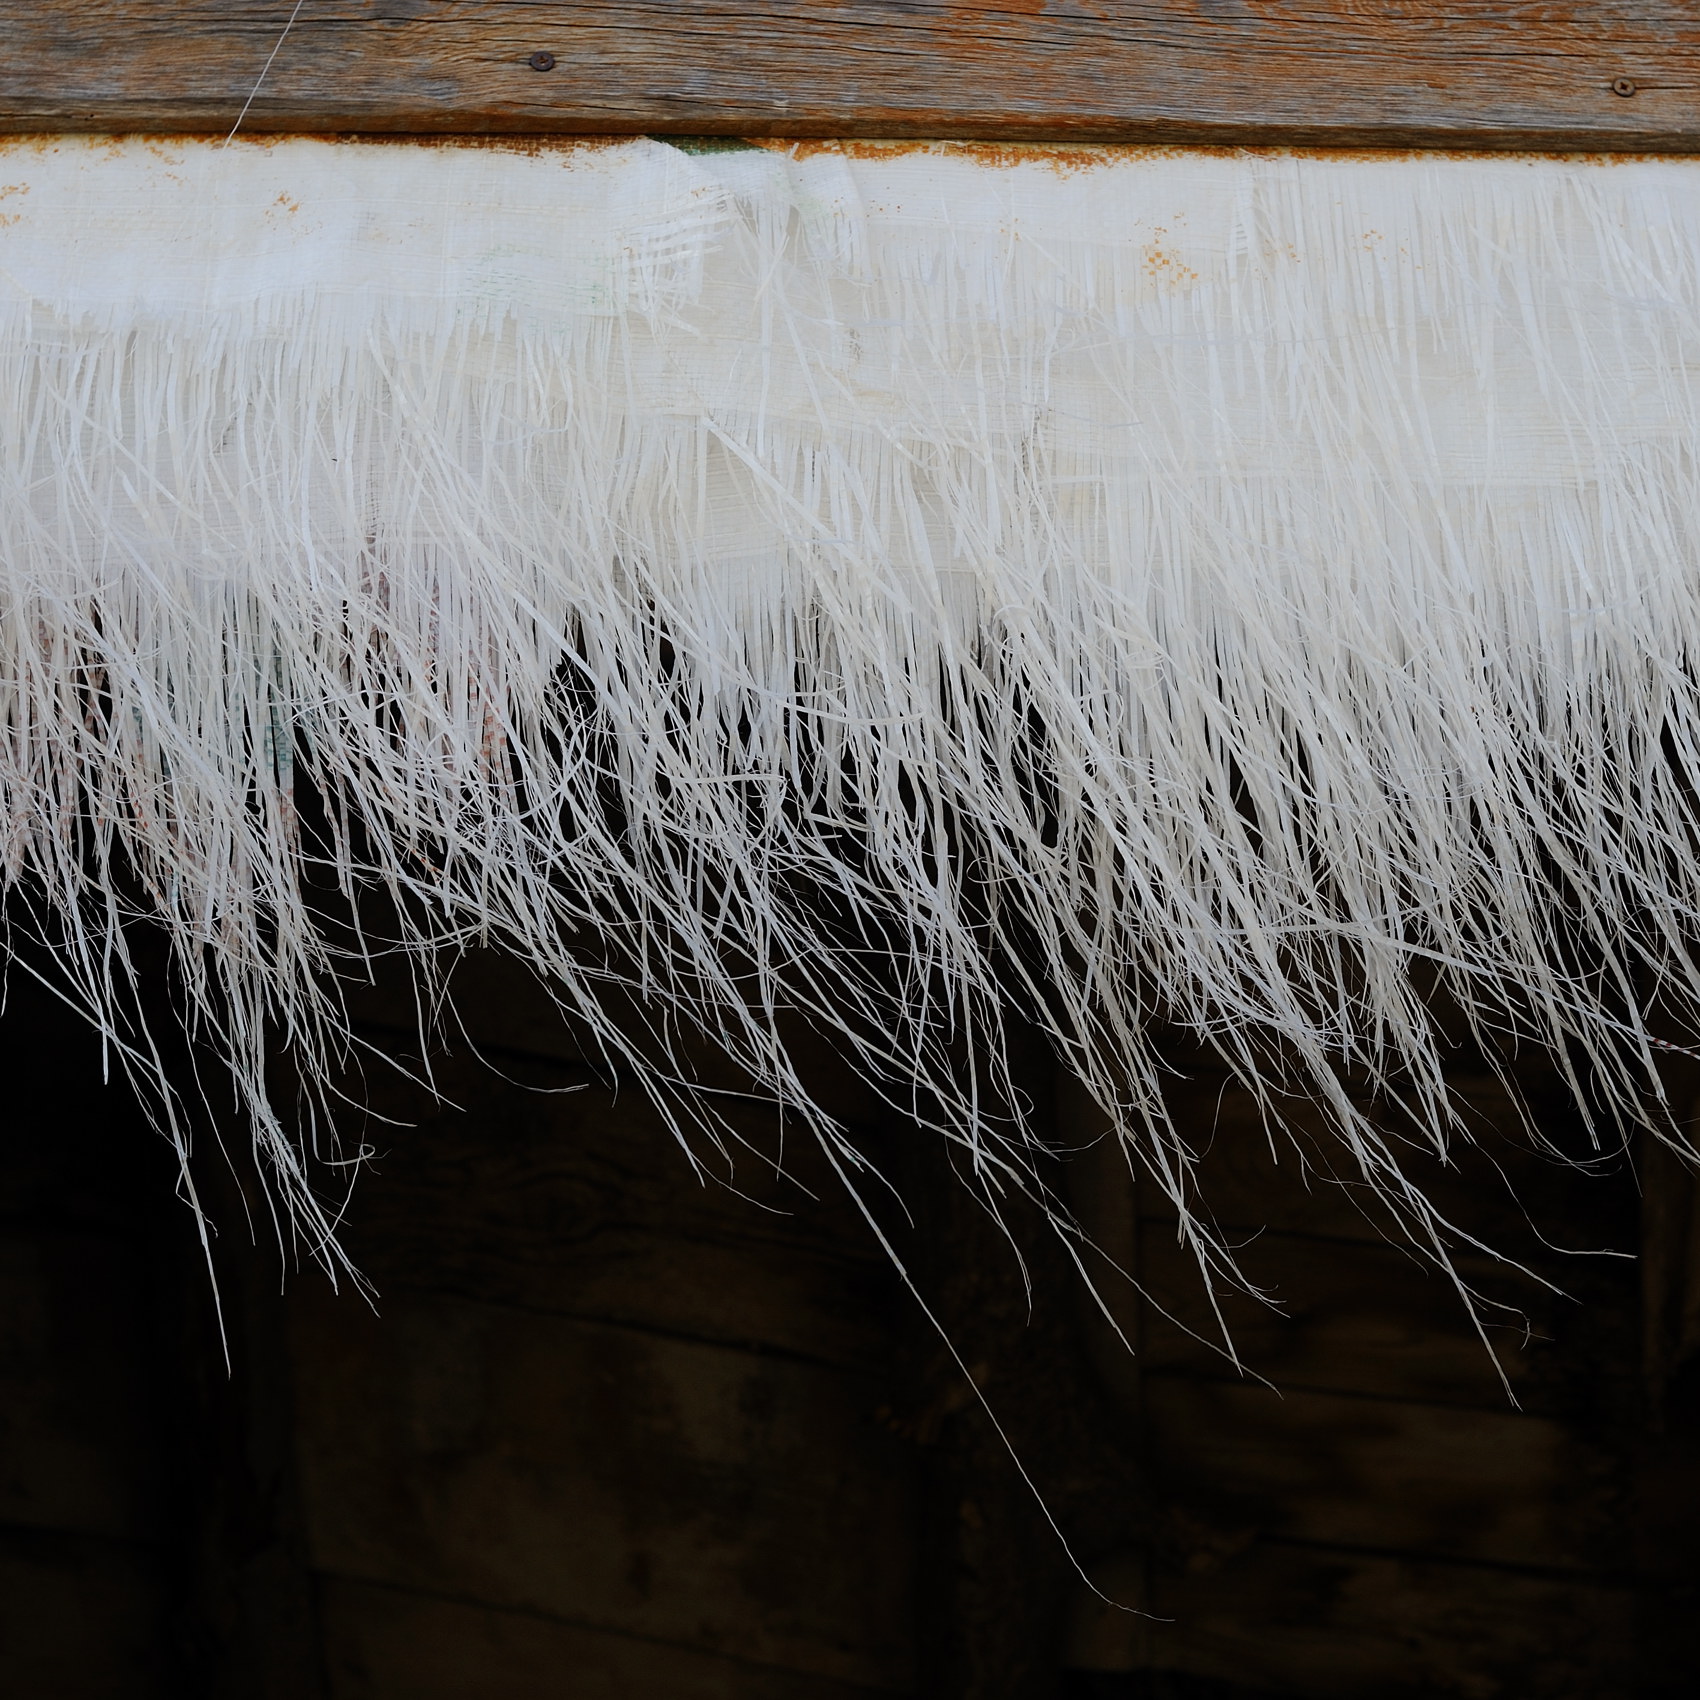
x=611, y=1431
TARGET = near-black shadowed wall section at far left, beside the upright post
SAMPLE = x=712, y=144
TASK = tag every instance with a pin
x=94, y=1543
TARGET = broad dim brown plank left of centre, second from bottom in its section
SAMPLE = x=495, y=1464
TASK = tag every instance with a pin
x=655, y=1488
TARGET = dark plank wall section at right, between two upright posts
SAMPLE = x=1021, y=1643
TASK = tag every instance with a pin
x=1376, y=1516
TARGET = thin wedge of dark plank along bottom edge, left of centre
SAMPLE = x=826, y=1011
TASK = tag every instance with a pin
x=394, y=1645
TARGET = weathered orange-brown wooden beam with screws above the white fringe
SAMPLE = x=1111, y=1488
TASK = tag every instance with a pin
x=1505, y=74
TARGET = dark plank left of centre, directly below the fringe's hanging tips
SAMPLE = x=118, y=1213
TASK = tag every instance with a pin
x=531, y=1189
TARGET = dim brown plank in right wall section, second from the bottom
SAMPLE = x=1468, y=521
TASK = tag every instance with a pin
x=1383, y=1475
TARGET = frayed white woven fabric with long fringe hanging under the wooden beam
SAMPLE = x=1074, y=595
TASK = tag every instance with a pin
x=1242, y=592
